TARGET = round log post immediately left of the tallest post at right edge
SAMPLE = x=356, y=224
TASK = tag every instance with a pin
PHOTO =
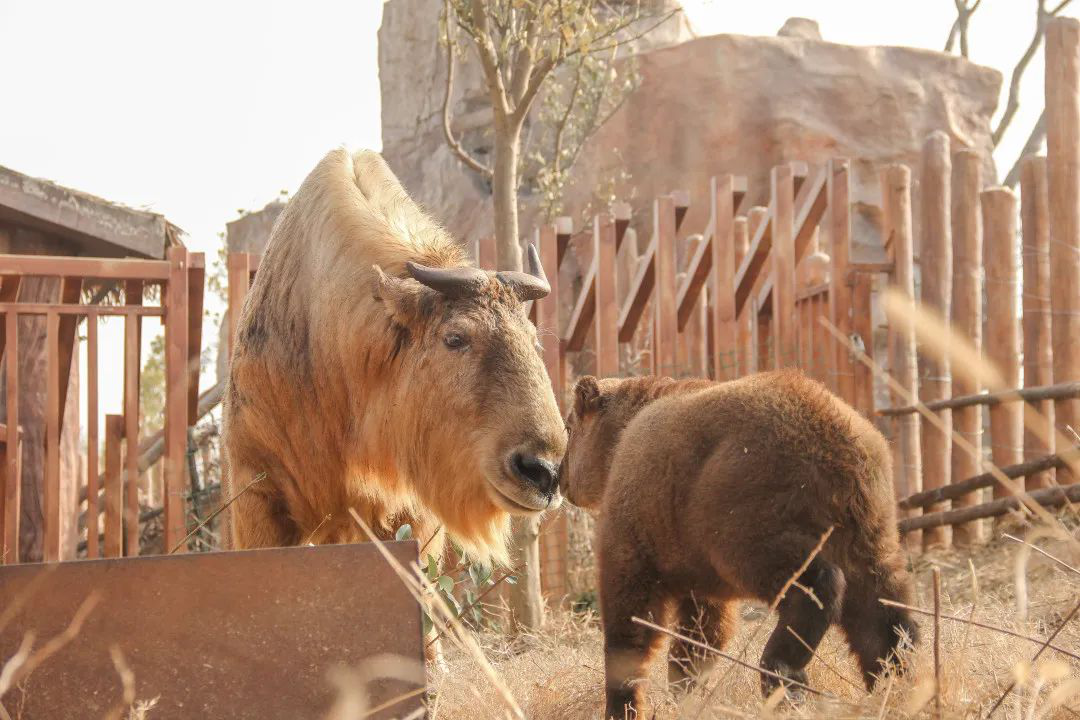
x=1038, y=360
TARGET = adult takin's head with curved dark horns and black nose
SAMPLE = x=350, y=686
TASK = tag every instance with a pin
x=474, y=390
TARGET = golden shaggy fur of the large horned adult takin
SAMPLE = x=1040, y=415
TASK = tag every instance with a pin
x=343, y=391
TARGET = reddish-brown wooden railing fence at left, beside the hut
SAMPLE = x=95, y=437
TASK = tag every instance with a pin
x=180, y=280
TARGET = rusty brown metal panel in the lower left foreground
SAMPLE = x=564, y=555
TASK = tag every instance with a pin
x=251, y=634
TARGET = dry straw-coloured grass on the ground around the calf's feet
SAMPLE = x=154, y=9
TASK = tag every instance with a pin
x=559, y=674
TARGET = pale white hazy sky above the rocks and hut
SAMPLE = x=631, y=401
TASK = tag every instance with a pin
x=202, y=108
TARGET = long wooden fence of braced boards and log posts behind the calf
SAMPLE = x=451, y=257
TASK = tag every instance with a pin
x=758, y=288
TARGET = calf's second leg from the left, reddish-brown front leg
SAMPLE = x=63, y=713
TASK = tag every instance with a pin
x=709, y=621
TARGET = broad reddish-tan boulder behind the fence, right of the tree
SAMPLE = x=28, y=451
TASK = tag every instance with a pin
x=736, y=104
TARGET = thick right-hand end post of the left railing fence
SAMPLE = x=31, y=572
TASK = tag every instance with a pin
x=177, y=396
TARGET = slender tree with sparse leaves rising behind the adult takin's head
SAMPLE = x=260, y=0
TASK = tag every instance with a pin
x=564, y=50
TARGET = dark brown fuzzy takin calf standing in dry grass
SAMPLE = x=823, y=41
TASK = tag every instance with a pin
x=713, y=493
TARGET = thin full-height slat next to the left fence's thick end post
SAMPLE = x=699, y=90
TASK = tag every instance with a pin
x=133, y=296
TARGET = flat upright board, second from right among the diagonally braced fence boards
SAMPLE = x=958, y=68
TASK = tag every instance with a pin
x=785, y=322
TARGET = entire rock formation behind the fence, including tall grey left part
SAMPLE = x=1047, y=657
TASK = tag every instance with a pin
x=705, y=106
